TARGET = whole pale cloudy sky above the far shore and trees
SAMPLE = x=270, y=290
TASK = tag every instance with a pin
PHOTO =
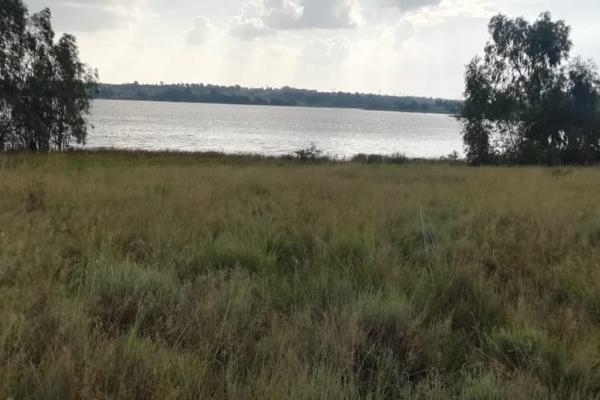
x=399, y=47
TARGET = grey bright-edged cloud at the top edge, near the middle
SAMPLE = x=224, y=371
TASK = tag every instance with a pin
x=260, y=17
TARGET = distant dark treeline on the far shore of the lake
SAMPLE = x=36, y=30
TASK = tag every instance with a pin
x=286, y=96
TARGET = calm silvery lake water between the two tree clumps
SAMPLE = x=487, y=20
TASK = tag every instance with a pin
x=269, y=130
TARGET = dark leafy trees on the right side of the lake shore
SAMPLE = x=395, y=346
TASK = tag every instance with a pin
x=525, y=103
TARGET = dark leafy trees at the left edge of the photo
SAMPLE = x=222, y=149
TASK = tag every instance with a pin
x=45, y=89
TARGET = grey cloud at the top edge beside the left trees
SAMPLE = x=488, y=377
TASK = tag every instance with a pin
x=89, y=15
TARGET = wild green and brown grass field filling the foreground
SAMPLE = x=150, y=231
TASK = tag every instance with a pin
x=136, y=276
